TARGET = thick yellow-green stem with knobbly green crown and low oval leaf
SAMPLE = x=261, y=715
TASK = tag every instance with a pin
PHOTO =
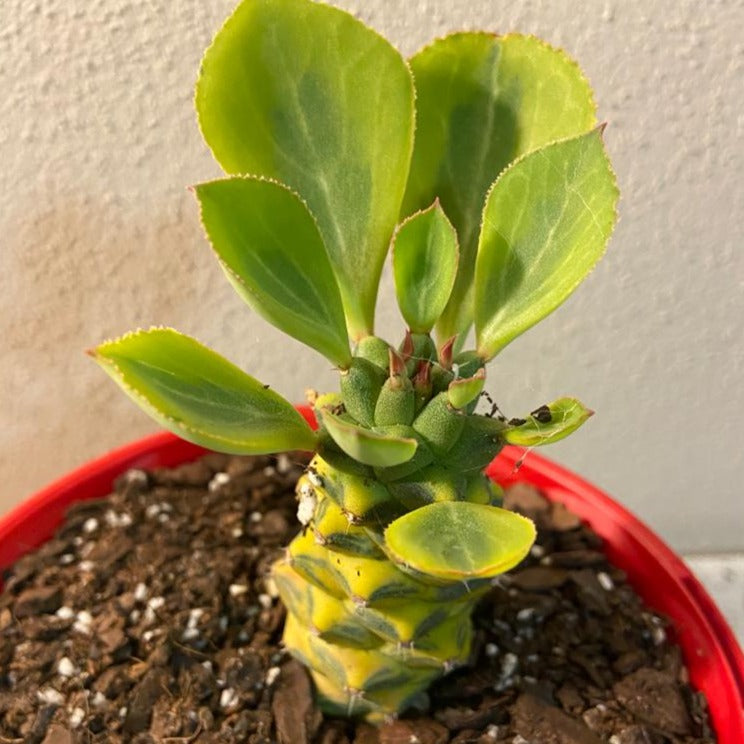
x=402, y=533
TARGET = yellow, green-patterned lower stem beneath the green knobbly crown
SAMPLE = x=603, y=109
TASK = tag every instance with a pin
x=373, y=634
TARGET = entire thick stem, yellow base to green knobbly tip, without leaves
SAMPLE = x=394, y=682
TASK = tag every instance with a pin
x=374, y=629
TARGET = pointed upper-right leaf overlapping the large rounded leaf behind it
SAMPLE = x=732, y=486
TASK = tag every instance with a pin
x=546, y=223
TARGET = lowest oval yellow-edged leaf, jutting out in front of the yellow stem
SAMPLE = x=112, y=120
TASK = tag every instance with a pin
x=457, y=540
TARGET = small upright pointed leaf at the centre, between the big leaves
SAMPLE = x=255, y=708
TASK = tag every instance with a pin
x=424, y=266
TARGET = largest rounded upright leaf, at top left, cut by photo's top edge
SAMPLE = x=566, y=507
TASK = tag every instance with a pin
x=306, y=94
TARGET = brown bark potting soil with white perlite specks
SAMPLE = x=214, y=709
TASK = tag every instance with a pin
x=149, y=617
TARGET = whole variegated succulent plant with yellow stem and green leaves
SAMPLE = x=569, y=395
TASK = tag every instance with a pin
x=485, y=153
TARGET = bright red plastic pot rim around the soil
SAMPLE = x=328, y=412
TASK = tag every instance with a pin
x=711, y=652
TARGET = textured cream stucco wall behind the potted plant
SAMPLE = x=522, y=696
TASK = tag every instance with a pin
x=99, y=235
